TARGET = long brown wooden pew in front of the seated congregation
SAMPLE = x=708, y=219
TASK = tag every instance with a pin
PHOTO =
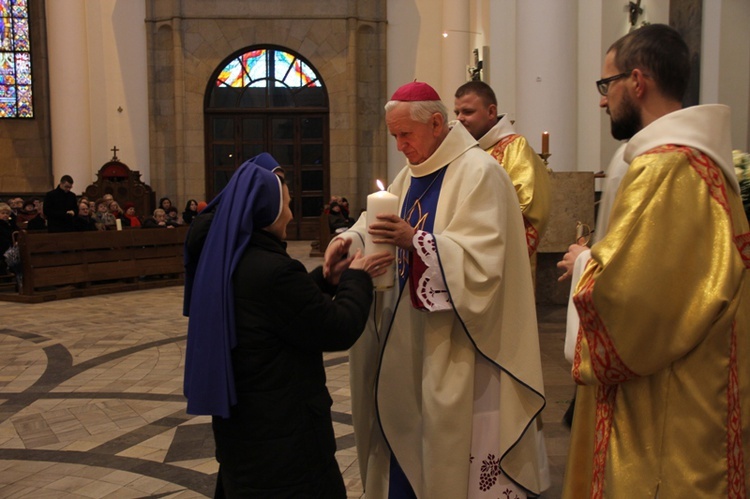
x=74, y=264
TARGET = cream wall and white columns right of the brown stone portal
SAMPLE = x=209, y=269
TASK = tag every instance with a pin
x=519, y=45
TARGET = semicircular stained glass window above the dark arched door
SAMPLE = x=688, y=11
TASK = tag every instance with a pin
x=267, y=77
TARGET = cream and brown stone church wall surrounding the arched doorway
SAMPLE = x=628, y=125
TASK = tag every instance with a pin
x=190, y=37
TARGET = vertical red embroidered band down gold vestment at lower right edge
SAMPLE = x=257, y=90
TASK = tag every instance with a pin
x=735, y=457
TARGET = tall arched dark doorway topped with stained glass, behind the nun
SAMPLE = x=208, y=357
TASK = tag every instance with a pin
x=266, y=98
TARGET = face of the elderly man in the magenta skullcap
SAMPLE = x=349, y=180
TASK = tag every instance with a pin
x=416, y=140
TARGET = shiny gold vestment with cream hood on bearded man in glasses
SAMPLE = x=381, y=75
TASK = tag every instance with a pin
x=662, y=353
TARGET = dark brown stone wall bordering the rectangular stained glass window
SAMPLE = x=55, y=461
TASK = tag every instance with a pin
x=25, y=152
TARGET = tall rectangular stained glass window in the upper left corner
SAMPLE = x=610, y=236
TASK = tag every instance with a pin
x=15, y=60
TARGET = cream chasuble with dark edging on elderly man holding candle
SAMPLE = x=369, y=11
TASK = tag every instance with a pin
x=413, y=372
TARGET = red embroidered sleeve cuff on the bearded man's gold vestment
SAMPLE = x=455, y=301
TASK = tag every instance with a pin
x=605, y=362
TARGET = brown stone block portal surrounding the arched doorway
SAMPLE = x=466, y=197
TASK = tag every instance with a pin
x=188, y=40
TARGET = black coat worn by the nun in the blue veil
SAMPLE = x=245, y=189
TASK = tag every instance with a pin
x=279, y=440
